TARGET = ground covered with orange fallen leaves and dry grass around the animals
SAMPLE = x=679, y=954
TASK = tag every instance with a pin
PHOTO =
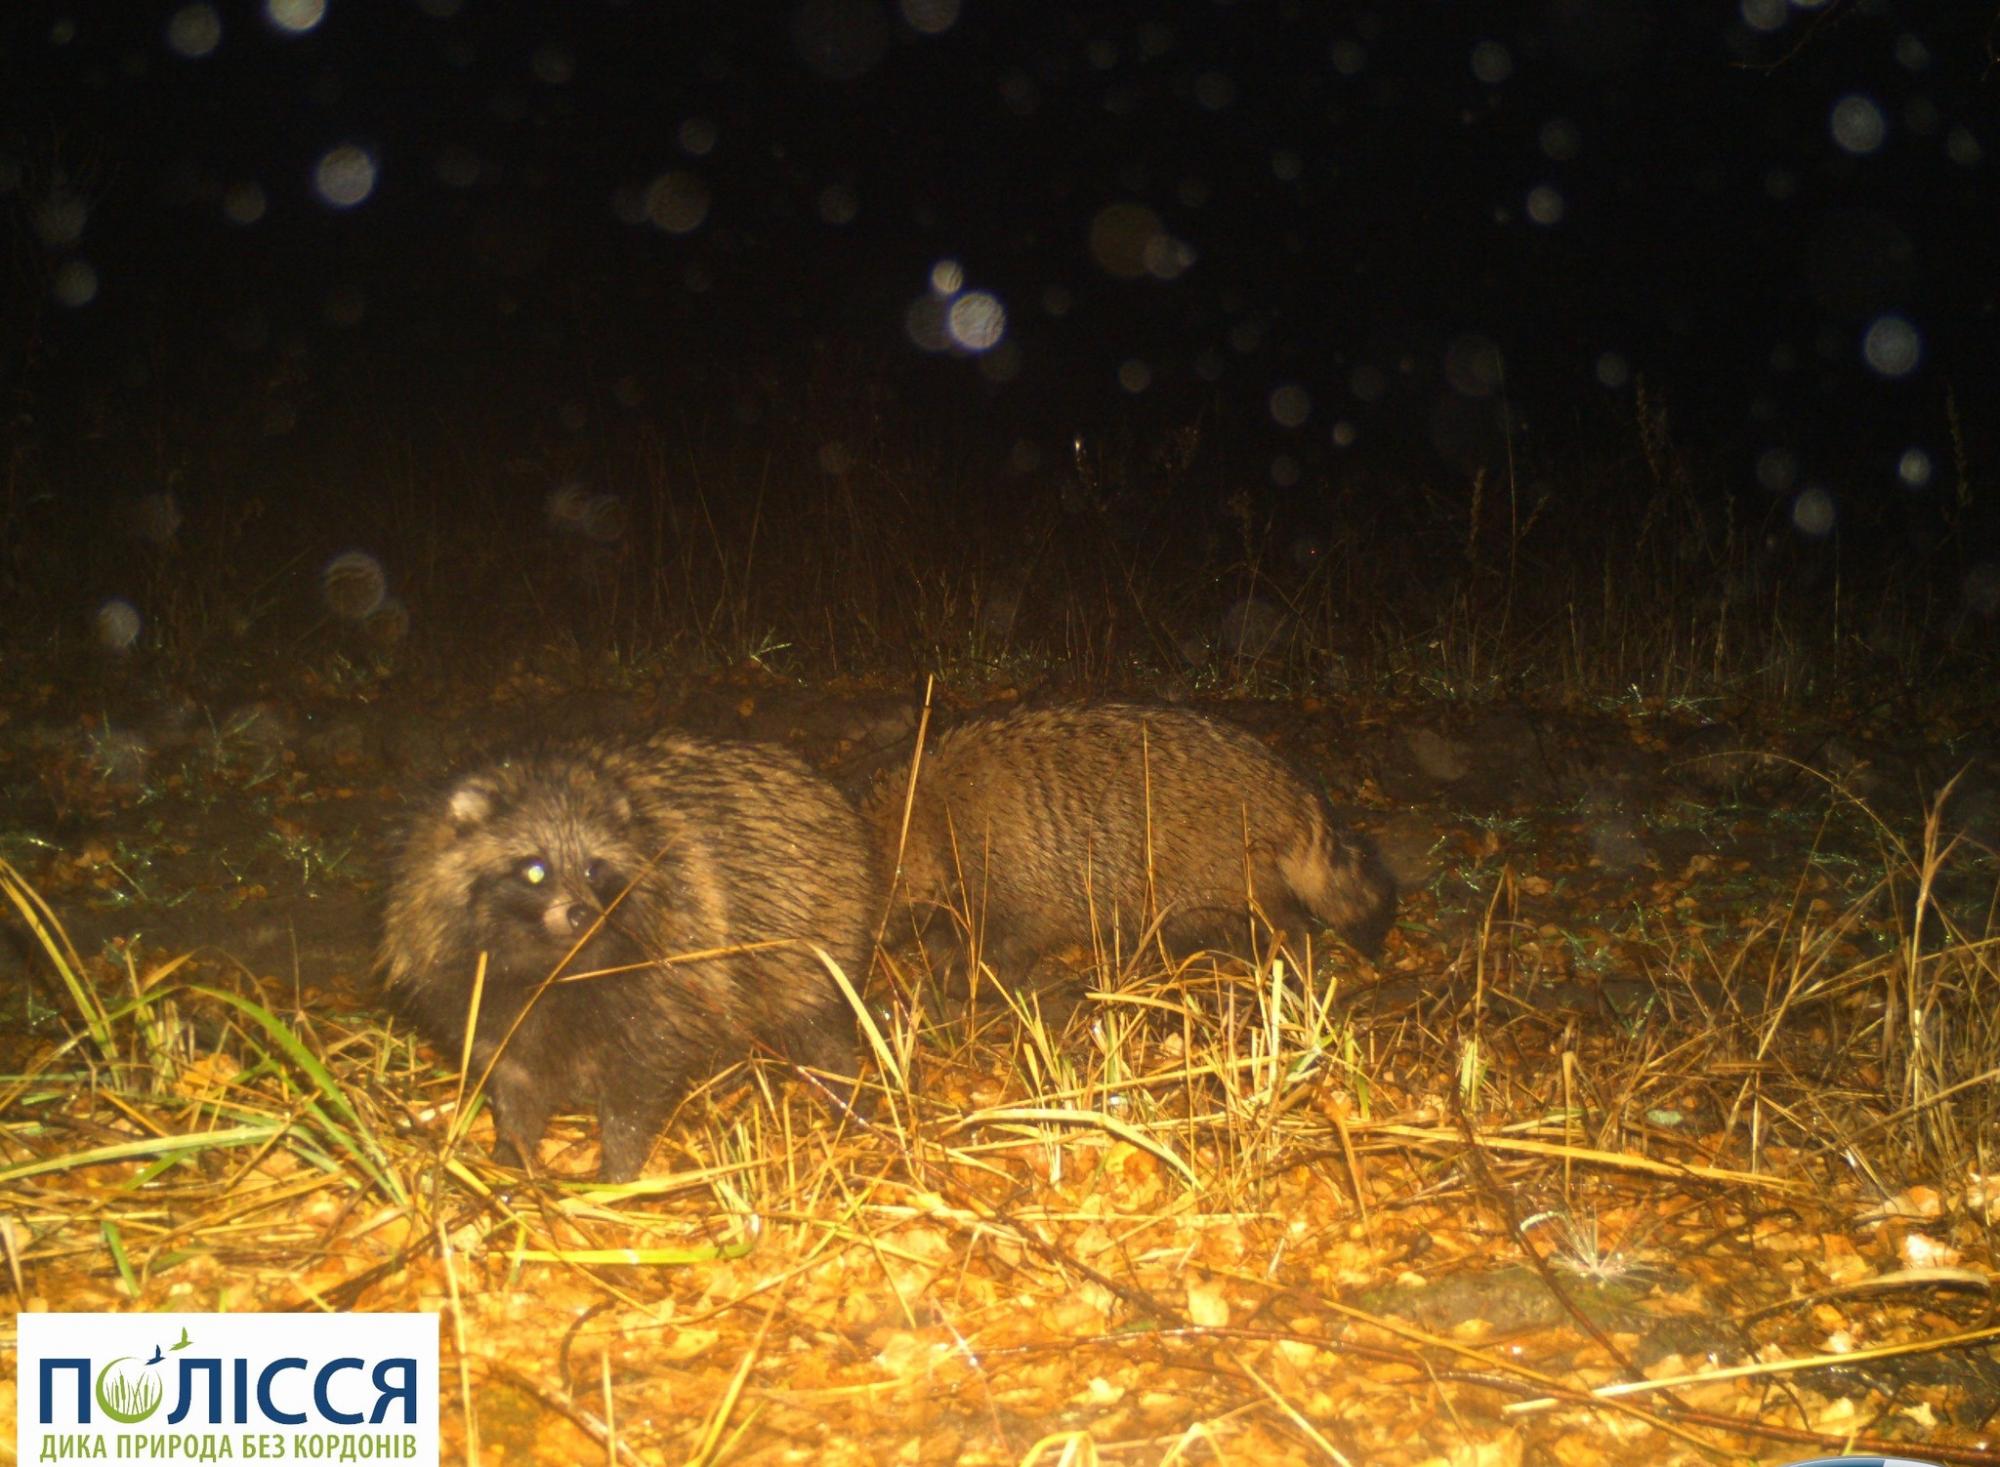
x=1663, y=1132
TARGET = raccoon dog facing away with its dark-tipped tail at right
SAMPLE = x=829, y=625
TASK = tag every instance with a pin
x=1043, y=822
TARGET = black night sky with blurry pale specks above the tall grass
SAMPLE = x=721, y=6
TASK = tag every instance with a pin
x=1343, y=221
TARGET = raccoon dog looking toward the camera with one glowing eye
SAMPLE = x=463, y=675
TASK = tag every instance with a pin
x=583, y=874
